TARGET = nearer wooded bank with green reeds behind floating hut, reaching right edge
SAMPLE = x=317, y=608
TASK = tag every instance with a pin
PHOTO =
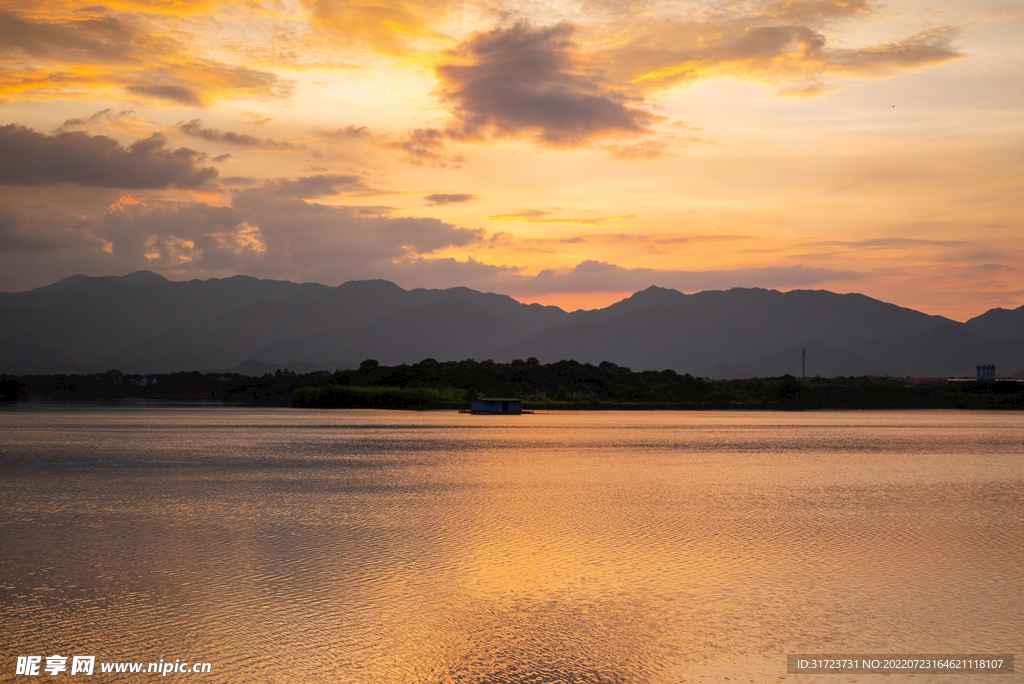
x=576, y=386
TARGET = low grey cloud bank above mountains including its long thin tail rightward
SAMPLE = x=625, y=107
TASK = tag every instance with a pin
x=268, y=235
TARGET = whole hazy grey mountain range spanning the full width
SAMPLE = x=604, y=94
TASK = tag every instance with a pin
x=143, y=323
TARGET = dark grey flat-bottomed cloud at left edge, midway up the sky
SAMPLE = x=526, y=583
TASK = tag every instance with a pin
x=29, y=158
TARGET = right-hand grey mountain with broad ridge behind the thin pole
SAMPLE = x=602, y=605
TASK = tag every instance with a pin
x=740, y=332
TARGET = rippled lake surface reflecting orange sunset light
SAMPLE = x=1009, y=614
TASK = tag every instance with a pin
x=363, y=546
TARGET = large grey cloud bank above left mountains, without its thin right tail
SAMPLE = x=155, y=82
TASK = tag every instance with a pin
x=263, y=234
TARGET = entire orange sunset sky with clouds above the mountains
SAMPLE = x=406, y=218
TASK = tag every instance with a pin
x=565, y=153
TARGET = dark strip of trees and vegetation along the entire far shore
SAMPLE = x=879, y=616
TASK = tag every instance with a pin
x=433, y=384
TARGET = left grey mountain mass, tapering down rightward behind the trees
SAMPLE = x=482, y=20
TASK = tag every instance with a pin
x=145, y=325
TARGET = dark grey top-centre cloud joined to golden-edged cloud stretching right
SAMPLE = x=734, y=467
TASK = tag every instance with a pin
x=523, y=81
